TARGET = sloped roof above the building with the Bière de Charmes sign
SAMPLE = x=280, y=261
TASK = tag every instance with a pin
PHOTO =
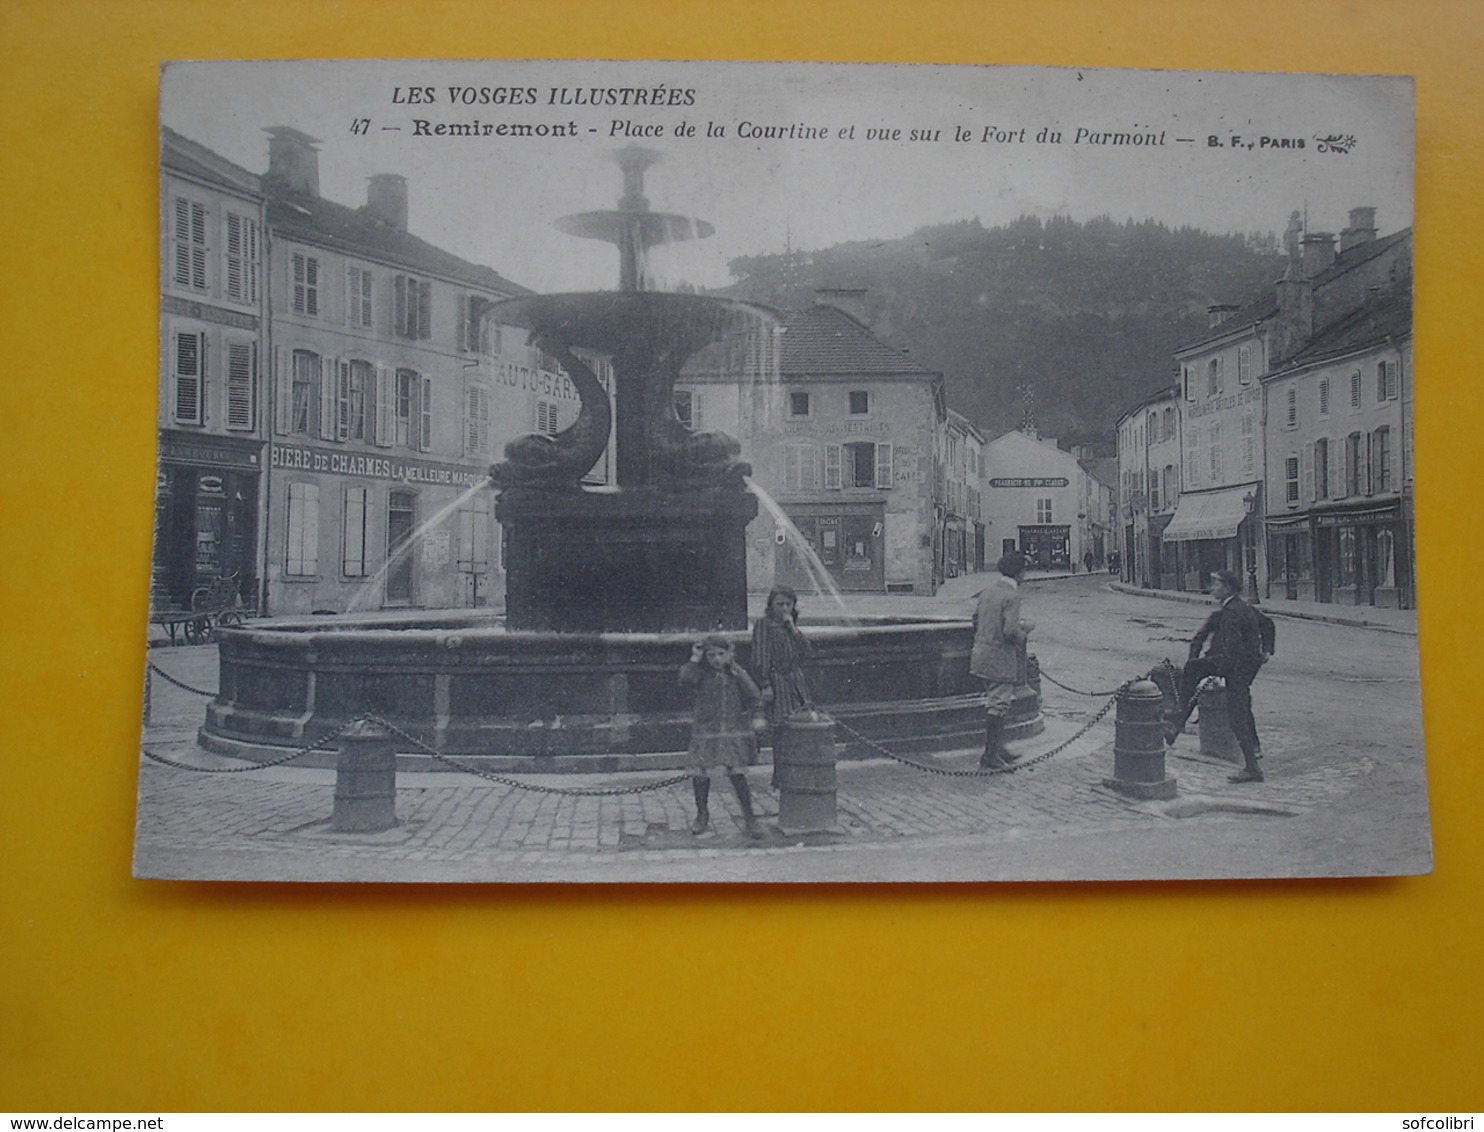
x=321, y=222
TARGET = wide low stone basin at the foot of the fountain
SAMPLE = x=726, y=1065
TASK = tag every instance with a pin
x=572, y=702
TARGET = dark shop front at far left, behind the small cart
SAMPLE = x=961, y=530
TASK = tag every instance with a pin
x=206, y=517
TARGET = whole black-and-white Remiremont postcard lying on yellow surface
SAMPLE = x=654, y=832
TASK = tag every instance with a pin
x=591, y=471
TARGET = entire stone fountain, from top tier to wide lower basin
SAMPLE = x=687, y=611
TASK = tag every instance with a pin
x=606, y=590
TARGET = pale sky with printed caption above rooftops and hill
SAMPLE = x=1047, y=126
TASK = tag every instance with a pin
x=1224, y=152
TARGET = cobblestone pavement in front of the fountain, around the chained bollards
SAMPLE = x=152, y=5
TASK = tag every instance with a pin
x=274, y=824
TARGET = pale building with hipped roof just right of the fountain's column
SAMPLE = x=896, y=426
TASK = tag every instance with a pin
x=845, y=434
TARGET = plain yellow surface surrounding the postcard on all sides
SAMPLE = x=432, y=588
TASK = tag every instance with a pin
x=121, y=995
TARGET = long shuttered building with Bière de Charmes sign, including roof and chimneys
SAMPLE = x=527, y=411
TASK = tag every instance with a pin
x=391, y=395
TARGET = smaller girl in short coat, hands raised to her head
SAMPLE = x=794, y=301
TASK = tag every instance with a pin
x=728, y=716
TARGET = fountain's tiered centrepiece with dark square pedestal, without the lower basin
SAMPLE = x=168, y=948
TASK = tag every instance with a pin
x=667, y=550
